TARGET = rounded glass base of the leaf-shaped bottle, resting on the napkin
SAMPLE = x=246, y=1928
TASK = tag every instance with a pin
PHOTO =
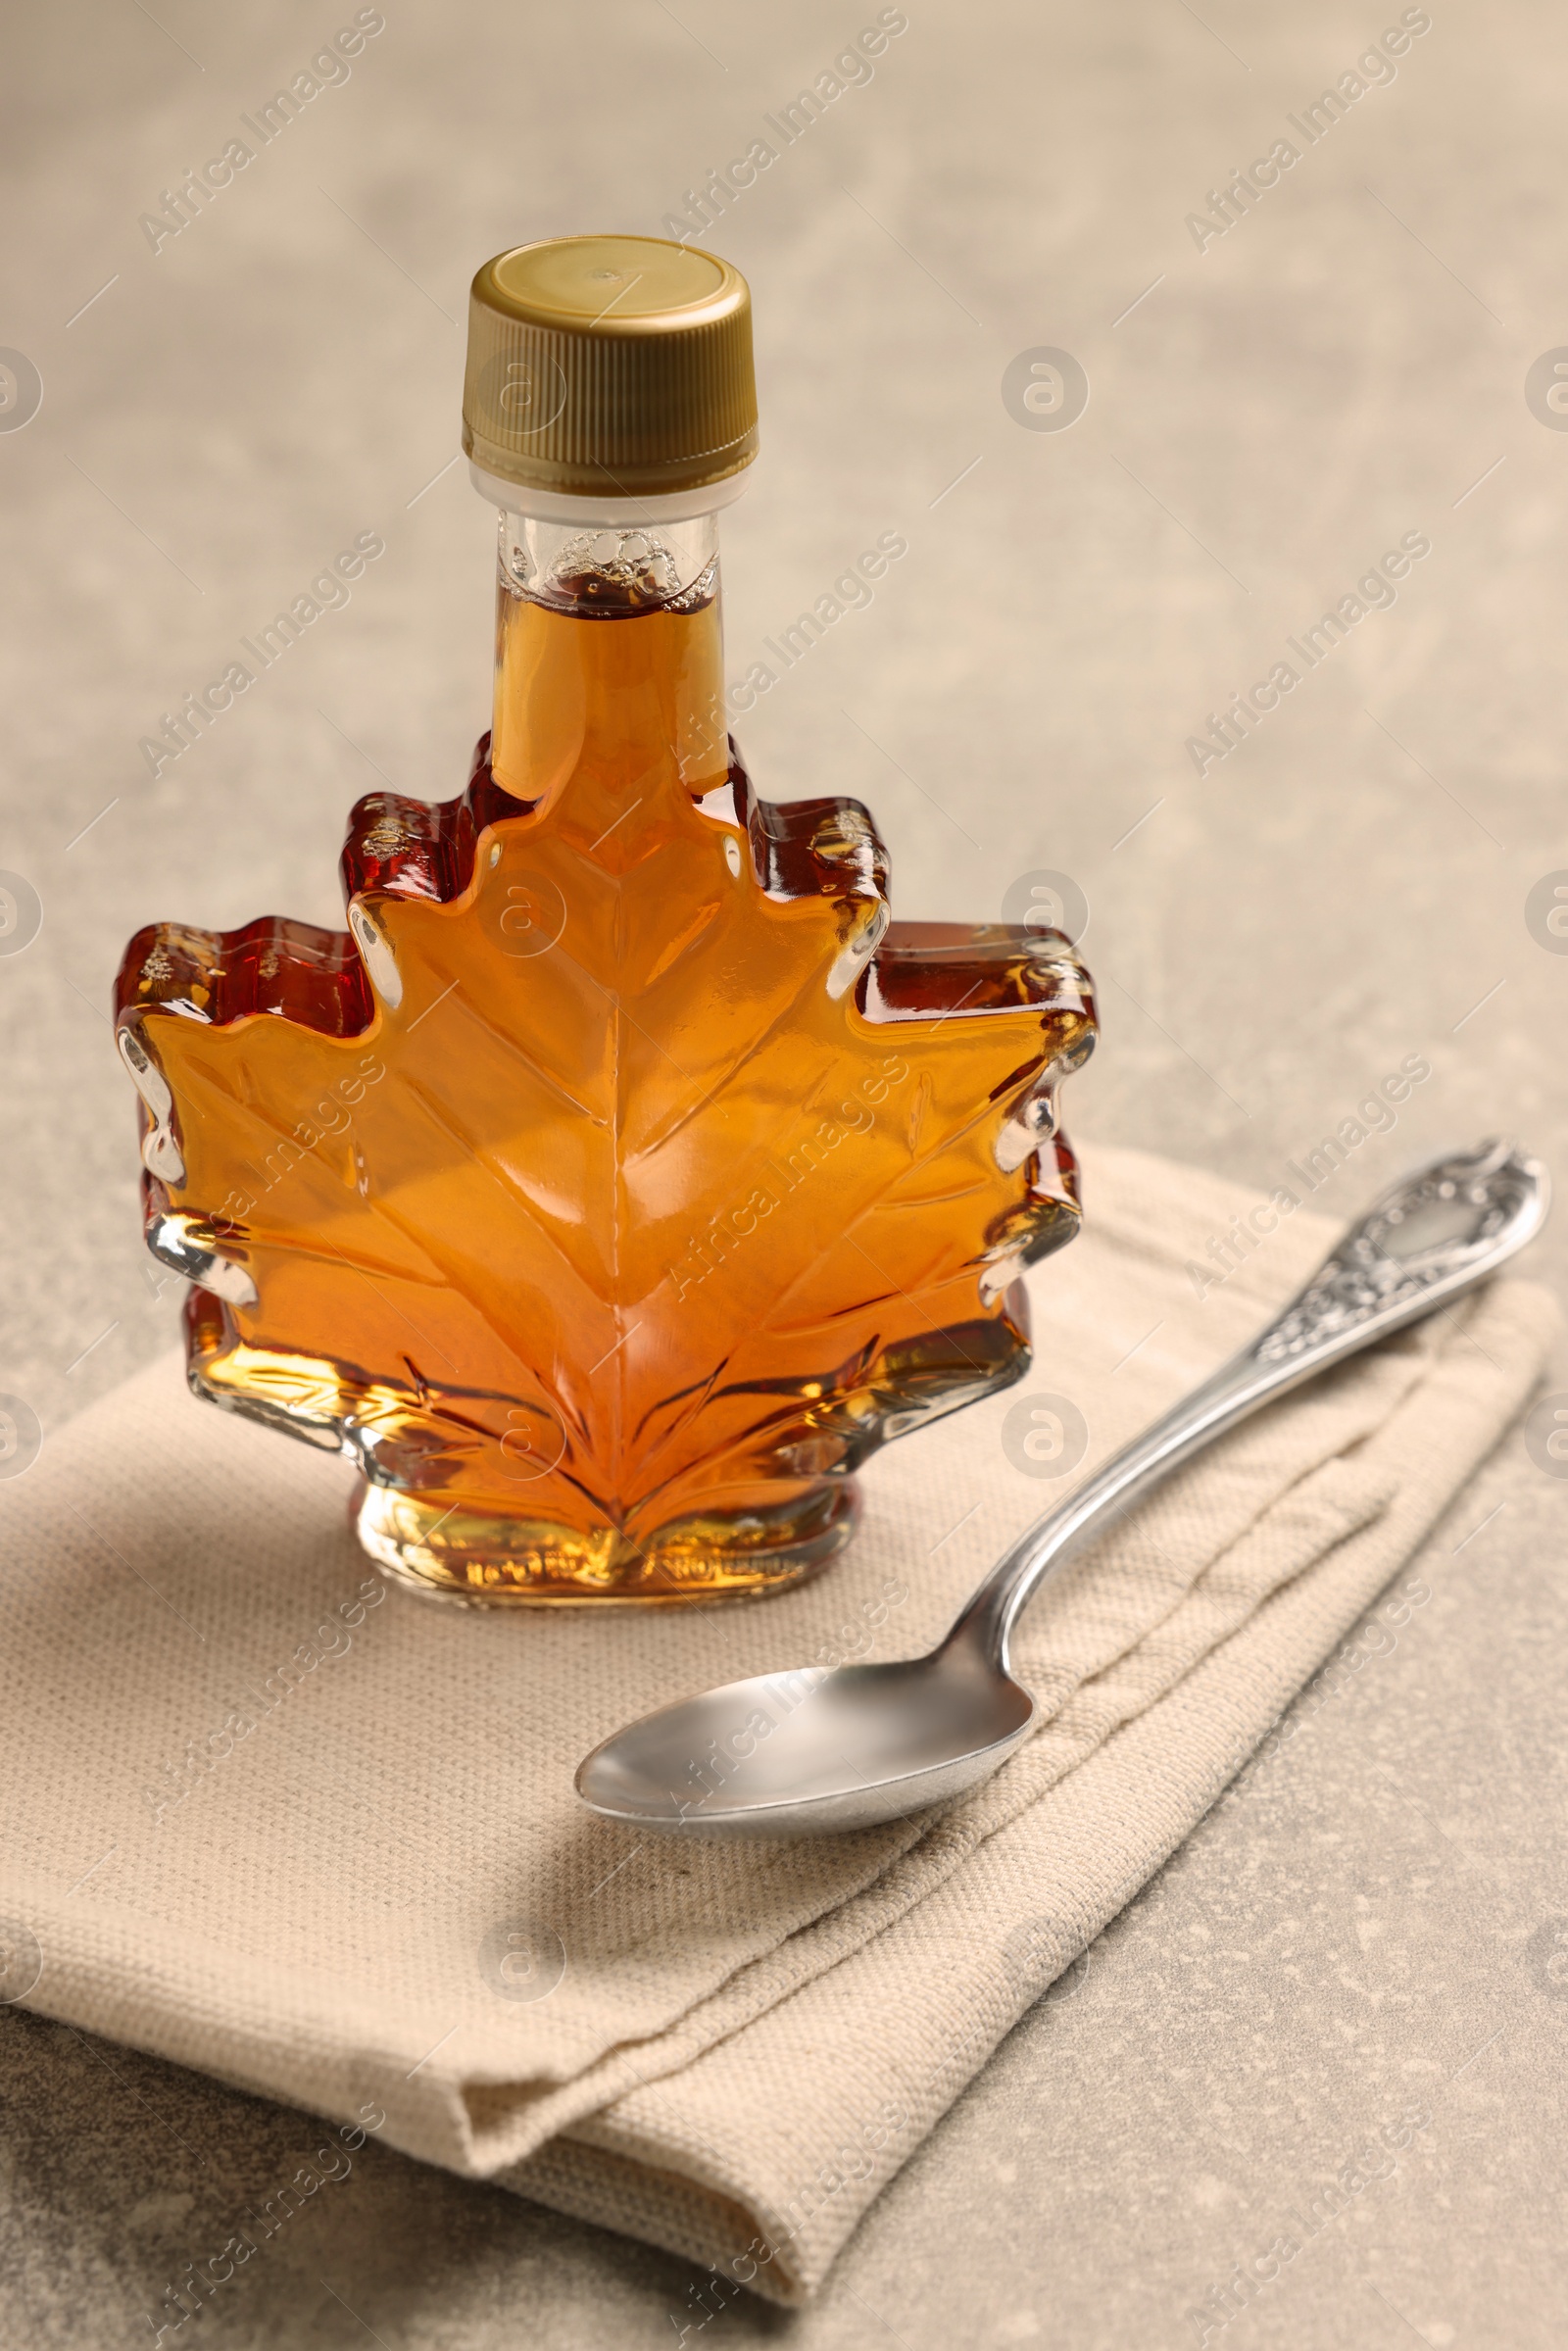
x=481, y=1558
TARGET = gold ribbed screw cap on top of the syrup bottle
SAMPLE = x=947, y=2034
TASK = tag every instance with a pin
x=610, y=368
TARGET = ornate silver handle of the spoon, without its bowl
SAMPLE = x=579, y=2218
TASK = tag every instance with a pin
x=1423, y=1243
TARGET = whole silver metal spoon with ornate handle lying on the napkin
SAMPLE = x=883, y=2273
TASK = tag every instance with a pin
x=812, y=1753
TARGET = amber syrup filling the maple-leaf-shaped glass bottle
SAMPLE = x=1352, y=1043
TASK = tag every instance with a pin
x=619, y=1186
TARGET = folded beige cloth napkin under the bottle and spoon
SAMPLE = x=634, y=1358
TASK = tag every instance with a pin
x=319, y=1837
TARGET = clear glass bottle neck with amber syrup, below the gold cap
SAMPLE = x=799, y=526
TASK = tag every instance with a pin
x=610, y=662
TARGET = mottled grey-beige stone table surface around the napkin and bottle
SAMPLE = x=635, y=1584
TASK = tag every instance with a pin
x=1282, y=387
